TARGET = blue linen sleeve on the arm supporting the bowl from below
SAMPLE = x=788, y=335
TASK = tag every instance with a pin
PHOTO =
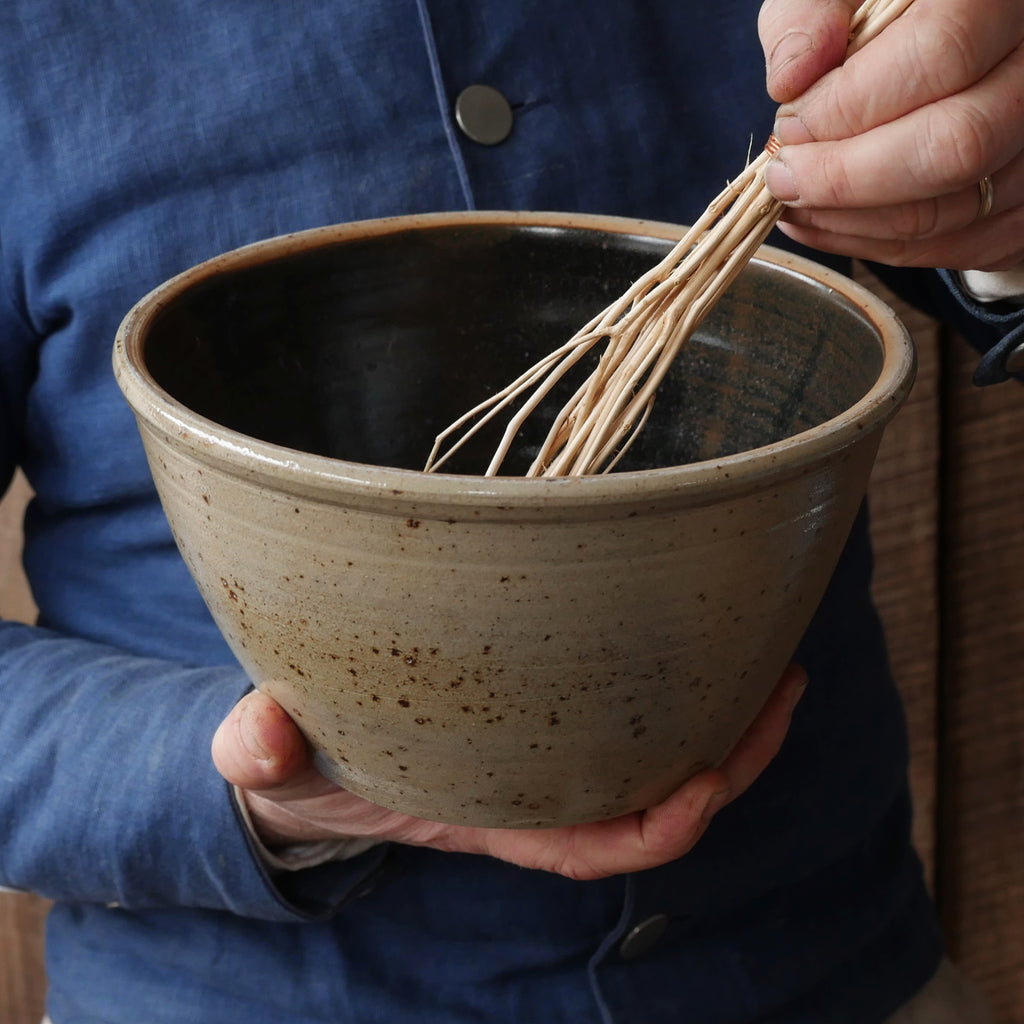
x=109, y=795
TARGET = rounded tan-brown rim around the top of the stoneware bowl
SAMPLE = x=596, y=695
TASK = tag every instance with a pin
x=325, y=478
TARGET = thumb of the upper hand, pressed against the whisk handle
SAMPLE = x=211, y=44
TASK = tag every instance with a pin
x=802, y=40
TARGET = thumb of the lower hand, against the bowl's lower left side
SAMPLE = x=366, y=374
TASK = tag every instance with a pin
x=259, y=747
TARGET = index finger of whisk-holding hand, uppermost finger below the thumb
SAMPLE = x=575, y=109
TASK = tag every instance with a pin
x=928, y=54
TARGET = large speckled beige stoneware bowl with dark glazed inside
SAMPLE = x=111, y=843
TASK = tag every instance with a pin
x=503, y=652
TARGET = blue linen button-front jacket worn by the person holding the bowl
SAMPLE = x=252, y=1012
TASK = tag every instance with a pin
x=139, y=139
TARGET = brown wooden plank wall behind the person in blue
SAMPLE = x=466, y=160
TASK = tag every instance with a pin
x=949, y=506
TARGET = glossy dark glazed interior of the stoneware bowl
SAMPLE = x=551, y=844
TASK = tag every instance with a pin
x=365, y=350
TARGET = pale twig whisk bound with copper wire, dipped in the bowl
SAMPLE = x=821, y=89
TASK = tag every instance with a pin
x=646, y=328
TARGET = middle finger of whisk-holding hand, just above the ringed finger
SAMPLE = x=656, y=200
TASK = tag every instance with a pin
x=933, y=151
